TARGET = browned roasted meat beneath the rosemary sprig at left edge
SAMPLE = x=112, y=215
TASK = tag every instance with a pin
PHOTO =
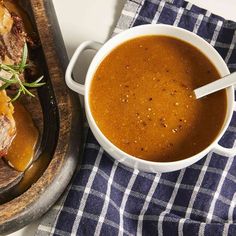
x=12, y=40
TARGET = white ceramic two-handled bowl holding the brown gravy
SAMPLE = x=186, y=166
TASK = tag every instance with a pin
x=104, y=50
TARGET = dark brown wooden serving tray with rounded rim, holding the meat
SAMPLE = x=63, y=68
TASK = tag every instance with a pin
x=58, y=115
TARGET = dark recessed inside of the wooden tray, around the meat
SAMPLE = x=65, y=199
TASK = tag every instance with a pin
x=45, y=111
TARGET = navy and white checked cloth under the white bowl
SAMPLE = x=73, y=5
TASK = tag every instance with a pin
x=106, y=198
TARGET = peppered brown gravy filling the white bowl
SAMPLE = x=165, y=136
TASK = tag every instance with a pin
x=142, y=99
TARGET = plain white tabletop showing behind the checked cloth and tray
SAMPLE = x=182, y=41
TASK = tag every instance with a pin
x=94, y=20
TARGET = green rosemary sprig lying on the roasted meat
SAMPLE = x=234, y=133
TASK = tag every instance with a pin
x=14, y=72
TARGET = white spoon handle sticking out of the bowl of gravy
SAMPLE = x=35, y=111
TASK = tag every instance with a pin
x=215, y=86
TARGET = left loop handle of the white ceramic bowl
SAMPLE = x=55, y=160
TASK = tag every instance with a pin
x=73, y=85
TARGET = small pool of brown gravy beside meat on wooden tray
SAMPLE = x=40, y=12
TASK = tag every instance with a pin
x=21, y=151
